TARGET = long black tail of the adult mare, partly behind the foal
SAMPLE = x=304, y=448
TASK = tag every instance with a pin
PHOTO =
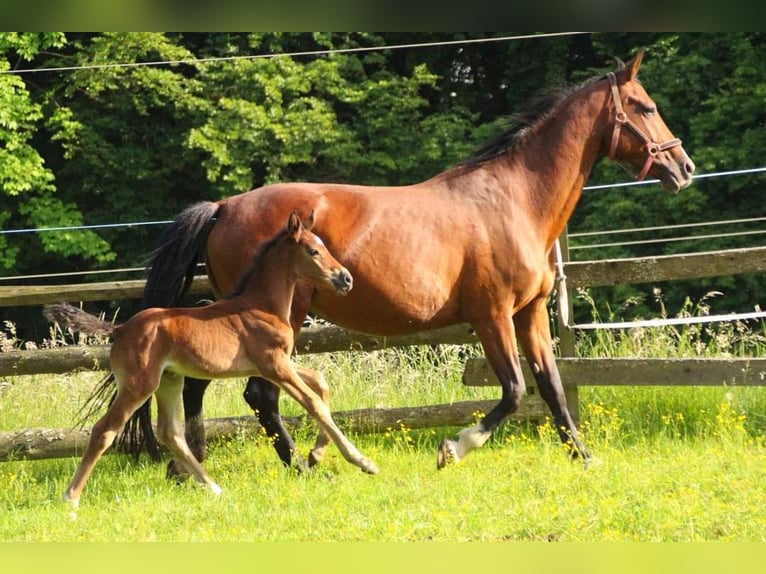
x=171, y=272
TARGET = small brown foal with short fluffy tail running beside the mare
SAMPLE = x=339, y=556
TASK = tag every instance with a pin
x=246, y=334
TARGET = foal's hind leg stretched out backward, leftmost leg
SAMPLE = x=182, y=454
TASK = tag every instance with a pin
x=102, y=436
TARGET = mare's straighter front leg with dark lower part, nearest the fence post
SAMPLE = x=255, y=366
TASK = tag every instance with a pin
x=534, y=334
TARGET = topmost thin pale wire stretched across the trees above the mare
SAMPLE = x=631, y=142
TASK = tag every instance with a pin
x=291, y=54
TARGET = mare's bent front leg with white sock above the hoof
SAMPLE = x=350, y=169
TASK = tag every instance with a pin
x=498, y=339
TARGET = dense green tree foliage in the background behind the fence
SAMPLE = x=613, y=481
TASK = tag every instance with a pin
x=98, y=145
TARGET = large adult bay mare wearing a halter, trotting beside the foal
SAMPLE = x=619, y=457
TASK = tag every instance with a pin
x=473, y=244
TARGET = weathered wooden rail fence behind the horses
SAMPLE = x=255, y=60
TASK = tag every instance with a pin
x=576, y=372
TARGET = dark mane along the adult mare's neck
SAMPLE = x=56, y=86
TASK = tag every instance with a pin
x=523, y=123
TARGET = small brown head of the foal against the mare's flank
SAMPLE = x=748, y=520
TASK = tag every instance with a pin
x=315, y=264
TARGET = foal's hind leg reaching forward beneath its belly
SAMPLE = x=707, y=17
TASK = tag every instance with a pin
x=170, y=430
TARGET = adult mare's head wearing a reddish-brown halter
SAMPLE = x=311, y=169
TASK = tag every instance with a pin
x=640, y=137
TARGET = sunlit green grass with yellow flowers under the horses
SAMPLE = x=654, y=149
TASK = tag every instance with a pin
x=675, y=464
